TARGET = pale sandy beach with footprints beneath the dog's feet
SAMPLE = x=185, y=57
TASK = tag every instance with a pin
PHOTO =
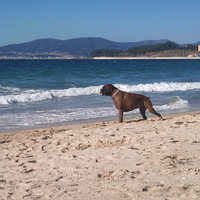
x=136, y=160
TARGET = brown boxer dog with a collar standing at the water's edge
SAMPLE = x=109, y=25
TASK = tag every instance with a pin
x=125, y=101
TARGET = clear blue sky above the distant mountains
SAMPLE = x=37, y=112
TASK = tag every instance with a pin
x=116, y=20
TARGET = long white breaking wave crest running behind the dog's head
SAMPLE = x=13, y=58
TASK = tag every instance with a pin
x=20, y=96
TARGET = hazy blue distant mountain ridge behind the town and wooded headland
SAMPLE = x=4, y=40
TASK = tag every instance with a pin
x=75, y=47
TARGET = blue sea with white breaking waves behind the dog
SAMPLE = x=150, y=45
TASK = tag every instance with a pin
x=44, y=93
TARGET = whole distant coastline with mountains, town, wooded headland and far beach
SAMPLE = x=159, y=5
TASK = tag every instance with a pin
x=89, y=48
